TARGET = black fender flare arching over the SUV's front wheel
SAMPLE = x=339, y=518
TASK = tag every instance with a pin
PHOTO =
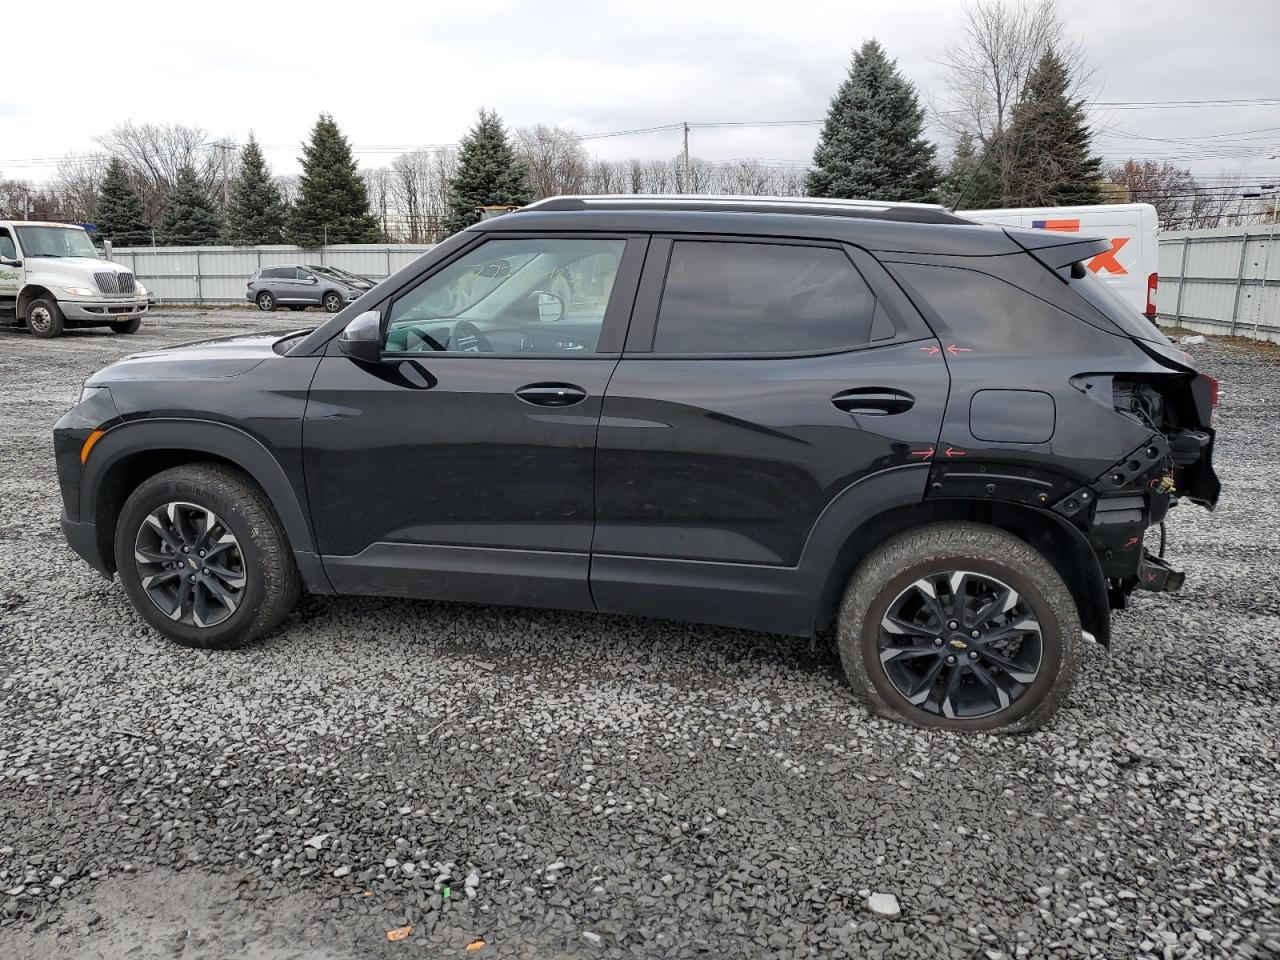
x=214, y=438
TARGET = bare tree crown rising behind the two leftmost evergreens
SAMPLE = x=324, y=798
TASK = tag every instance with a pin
x=157, y=152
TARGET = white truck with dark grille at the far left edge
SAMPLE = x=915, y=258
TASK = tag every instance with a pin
x=52, y=278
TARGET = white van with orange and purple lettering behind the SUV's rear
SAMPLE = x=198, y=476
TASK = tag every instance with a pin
x=1131, y=268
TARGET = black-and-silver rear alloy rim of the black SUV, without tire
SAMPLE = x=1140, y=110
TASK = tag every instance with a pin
x=961, y=646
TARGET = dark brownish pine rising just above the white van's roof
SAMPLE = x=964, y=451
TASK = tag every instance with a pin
x=1050, y=144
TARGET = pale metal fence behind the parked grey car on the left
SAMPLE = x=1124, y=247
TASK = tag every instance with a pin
x=218, y=275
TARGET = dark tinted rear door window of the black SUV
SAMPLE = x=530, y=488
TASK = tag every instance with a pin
x=726, y=298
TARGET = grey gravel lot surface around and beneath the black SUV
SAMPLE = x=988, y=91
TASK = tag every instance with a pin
x=574, y=785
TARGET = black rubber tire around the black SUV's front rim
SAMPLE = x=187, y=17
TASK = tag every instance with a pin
x=271, y=579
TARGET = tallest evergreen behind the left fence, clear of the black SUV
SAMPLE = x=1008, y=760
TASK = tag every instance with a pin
x=333, y=202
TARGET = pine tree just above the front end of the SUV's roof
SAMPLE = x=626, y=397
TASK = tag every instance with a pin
x=490, y=175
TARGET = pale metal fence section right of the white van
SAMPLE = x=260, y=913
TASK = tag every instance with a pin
x=1224, y=281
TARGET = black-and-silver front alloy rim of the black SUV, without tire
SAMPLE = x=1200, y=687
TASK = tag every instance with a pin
x=190, y=564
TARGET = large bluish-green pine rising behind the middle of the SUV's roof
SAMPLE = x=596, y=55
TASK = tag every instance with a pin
x=872, y=145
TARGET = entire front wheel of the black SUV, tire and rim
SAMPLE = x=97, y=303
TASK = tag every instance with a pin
x=204, y=559
